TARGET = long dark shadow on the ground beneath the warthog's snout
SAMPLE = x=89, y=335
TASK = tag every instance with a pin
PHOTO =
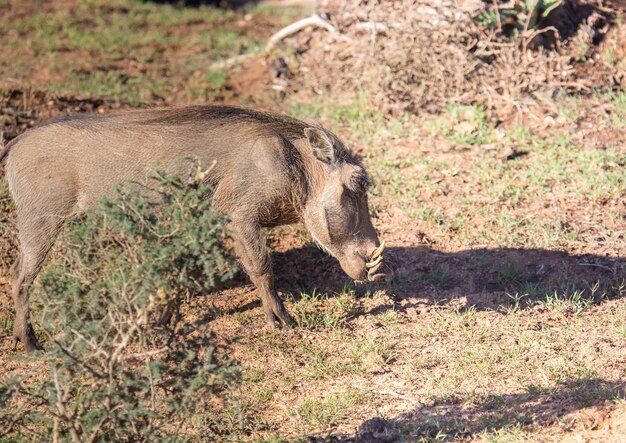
x=483, y=278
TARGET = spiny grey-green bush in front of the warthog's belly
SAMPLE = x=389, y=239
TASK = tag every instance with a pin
x=122, y=364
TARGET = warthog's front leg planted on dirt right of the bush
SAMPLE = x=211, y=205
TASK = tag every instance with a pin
x=255, y=257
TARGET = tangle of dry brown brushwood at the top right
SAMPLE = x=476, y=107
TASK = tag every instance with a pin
x=422, y=55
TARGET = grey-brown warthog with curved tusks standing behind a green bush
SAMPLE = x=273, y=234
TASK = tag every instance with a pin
x=268, y=170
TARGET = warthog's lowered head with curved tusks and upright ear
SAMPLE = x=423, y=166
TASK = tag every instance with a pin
x=337, y=213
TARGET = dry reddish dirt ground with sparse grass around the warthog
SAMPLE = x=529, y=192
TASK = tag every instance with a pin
x=506, y=317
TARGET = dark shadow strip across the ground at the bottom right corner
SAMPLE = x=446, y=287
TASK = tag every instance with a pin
x=452, y=419
